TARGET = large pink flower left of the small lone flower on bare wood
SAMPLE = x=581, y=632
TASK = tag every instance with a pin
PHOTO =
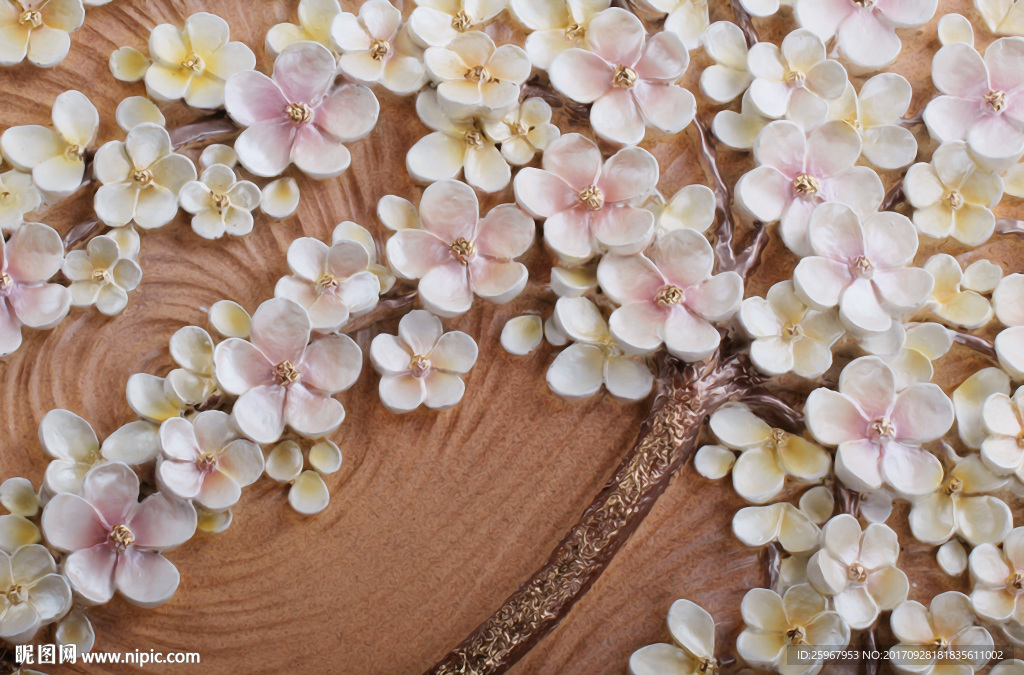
x=280, y=381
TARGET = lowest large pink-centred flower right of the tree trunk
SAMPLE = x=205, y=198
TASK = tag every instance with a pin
x=880, y=433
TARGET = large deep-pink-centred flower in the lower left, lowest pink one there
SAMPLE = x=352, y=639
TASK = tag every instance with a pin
x=115, y=541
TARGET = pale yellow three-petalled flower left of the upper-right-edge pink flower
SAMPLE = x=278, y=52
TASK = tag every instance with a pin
x=877, y=114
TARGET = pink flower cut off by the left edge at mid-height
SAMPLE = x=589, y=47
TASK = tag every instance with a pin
x=32, y=257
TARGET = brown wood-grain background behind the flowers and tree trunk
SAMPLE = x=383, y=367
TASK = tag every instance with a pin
x=435, y=519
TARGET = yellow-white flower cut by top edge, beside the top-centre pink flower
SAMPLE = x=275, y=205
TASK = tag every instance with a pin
x=556, y=25
